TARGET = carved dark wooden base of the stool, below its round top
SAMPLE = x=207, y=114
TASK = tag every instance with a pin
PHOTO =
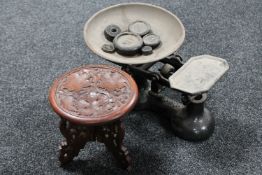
x=111, y=134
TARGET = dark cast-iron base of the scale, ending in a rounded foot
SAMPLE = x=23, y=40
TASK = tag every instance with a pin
x=192, y=122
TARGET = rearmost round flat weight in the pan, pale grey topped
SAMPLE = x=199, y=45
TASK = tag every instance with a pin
x=139, y=27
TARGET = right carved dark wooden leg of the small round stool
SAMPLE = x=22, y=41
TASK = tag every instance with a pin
x=112, y=137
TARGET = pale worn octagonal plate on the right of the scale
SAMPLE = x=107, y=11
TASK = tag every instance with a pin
x=198, y=74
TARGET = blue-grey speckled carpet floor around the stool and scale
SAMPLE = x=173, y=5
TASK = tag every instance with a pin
x=41, y=39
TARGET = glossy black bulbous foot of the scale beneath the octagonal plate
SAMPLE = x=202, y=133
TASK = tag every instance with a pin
x=194, y=122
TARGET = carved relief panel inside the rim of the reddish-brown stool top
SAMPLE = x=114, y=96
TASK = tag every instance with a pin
x=92, y=92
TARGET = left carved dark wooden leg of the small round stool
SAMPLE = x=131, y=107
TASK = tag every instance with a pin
x=75, y=141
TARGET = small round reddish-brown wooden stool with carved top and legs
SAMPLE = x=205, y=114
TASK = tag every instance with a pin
x=91, y=101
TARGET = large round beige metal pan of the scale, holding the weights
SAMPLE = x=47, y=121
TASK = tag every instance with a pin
x=163, y=23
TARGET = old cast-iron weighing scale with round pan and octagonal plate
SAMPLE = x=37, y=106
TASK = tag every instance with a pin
x=193, y=79
